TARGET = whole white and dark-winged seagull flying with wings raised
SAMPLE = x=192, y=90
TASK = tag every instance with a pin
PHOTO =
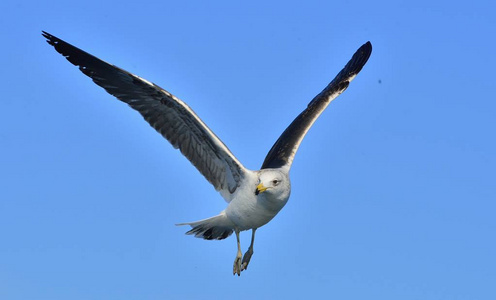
x=254, y=197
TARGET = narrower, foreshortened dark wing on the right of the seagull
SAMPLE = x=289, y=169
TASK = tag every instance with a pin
x=284, y=149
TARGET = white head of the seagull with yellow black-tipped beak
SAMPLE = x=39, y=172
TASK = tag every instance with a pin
x=273, y=184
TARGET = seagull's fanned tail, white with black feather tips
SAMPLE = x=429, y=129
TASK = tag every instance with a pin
x=214, y=228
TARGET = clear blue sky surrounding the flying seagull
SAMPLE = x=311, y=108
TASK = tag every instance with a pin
x=393, y=189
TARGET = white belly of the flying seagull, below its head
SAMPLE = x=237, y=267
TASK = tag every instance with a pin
x=250, y=214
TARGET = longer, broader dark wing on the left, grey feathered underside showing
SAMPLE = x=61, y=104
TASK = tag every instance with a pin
x=171, y=117
